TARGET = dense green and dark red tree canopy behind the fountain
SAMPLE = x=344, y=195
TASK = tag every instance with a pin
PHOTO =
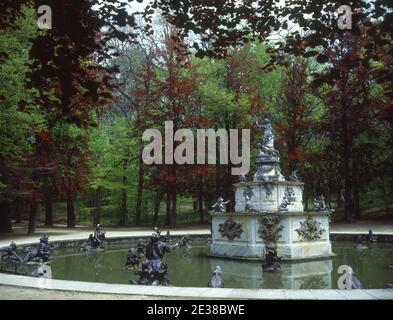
x=75, y=100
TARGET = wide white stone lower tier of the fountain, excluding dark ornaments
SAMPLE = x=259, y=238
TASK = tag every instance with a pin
x=291, y=245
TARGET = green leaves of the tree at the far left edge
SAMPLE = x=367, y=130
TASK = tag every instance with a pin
x=19, y=117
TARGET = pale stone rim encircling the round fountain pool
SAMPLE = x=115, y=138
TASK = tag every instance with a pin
x=186, y=292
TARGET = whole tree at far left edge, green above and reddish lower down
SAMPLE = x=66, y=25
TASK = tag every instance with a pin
x=19, y=117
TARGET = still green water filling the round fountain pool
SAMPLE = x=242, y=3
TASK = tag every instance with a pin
x=371, y=266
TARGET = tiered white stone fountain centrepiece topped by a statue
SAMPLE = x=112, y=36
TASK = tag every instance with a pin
x=269, y=213
